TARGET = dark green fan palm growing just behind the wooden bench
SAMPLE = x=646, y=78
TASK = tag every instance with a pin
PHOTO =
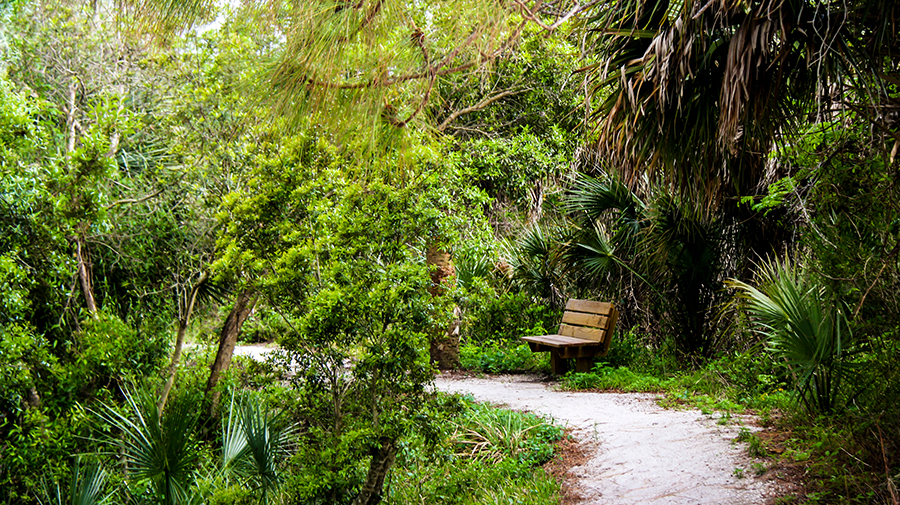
x=665, y=250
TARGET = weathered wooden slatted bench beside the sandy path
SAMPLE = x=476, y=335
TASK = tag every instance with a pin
x=585, y=332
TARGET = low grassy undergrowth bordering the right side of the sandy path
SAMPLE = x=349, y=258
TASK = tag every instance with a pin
x=848, y=457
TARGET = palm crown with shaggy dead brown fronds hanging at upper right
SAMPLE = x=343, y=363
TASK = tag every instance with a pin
x=696, y=92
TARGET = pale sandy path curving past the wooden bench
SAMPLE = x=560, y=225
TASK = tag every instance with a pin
x=640, y=452
